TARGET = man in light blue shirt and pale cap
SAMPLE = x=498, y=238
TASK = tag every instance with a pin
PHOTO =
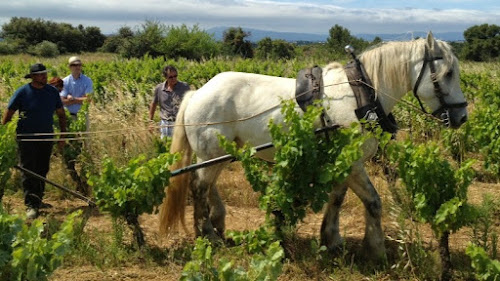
x=76, y=87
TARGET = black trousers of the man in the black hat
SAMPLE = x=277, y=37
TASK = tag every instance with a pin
x=34, y=156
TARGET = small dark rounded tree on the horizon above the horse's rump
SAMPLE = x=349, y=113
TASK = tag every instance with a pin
x=234, y=42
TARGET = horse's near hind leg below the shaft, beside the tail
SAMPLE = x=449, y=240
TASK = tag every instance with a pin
x=203, y=180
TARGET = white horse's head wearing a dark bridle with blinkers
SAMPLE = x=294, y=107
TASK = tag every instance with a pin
x=437, y=82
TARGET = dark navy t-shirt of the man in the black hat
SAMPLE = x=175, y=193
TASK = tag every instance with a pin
x=36, y=108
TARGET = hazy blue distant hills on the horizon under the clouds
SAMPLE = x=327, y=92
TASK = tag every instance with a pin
x=258, y=34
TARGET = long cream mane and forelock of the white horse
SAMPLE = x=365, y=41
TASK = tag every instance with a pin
x=387, y=64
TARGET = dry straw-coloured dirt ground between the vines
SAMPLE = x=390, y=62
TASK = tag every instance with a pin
x=234, y=189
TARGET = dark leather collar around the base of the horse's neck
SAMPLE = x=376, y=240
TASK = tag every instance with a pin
x=369, y=107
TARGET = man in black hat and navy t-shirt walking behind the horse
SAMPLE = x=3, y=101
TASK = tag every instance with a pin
x=36, y=102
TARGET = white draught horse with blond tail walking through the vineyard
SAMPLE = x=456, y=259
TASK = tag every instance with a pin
x=426, y=66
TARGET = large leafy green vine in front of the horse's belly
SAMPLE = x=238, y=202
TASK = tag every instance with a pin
x=307, y=166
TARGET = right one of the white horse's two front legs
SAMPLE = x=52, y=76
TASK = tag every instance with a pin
x=360, y=183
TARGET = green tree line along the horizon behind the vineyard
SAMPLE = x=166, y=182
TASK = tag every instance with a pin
x=48, y=39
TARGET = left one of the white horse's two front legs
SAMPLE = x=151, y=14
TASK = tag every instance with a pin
x=330, y=233
